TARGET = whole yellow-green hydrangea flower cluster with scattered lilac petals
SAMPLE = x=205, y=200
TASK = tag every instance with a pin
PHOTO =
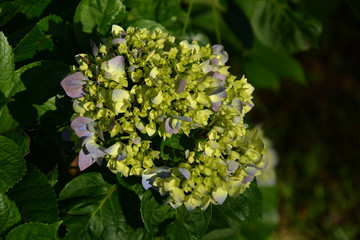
x=140, y=90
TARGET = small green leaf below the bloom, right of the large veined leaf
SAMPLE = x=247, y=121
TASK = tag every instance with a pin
x=153, y=213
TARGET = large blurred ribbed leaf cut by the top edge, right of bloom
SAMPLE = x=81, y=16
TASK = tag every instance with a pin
x=278, y=26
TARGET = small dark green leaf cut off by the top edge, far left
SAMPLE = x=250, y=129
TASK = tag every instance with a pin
x=32, y=8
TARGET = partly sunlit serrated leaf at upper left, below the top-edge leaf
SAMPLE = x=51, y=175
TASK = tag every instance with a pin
x=36, y=40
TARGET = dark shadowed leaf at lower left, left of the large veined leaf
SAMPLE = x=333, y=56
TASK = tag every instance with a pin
x=35, y=197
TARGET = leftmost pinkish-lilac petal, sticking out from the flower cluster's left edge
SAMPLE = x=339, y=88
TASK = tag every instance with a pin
x=73, y=84
